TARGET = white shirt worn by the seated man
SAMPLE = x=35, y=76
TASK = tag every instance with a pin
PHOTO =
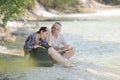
x=57, y=42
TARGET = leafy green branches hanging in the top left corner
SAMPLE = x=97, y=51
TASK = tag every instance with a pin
x=12, y=9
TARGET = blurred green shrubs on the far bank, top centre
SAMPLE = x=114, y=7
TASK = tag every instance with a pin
x=59, y=4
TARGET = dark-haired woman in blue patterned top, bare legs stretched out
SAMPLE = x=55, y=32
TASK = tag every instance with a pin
x=38, y=39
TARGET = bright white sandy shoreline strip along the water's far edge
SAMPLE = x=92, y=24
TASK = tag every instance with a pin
x=67, y=17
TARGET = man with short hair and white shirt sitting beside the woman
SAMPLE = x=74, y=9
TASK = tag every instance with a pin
x=57, y=39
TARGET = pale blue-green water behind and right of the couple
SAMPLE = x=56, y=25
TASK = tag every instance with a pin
x=96, y=39
